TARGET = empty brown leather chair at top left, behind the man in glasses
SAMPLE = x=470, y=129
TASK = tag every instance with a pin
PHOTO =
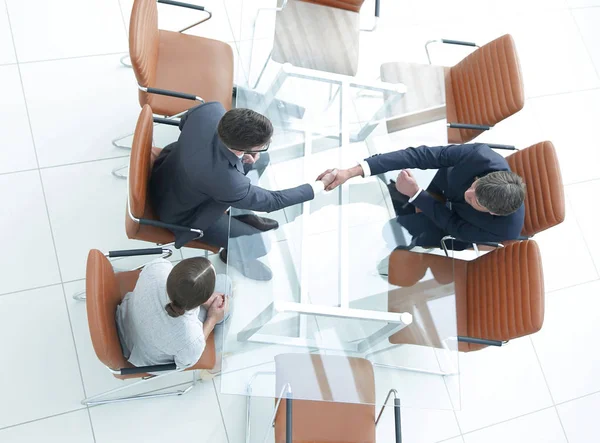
x=176, y=71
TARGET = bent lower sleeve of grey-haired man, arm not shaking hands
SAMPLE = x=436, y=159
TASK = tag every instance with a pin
x=451, y=223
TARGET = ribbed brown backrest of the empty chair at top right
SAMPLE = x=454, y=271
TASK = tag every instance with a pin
x=485, y=88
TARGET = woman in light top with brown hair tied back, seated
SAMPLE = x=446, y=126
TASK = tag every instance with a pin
x=171, y=311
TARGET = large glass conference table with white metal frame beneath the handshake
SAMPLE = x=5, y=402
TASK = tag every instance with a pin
x=330, y=296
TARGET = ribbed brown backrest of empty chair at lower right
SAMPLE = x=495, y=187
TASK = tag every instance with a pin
x=505, y=293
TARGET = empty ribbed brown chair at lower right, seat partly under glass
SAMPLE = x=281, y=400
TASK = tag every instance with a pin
x=499, y=296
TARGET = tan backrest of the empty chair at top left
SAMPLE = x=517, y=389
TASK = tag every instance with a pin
x=143, y=41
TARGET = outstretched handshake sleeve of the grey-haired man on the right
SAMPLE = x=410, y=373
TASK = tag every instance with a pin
x=422, y=157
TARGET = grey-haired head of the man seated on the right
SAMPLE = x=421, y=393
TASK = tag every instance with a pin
x=499, y=193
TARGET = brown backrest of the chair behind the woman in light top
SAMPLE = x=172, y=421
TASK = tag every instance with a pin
x=103, y=295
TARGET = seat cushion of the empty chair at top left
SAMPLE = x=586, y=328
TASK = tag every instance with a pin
x=194, y=65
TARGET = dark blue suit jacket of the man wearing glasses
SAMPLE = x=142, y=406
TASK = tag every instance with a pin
x=196, y=179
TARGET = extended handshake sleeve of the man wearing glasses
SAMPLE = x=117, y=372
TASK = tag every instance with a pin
x=256, y=198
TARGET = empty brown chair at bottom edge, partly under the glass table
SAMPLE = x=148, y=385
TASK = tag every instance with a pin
x=347, y=416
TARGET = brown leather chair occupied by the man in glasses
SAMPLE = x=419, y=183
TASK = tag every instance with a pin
x=141, y=223
